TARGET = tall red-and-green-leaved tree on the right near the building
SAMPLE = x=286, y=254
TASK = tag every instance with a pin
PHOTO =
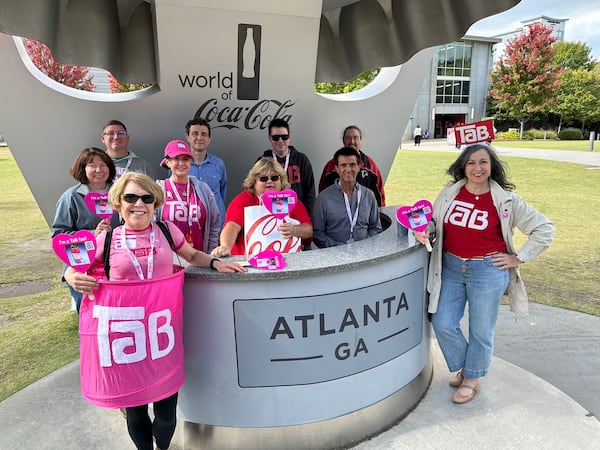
x=525, y=81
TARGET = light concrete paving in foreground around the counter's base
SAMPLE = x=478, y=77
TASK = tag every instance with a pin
x=513, y=409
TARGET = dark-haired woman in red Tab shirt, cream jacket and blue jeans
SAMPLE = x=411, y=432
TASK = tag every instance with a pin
x=474, y=260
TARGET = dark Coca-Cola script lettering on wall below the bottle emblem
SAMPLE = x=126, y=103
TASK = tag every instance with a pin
x=258, y=115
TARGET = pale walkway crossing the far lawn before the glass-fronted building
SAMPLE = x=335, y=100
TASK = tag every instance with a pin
x=587, y=158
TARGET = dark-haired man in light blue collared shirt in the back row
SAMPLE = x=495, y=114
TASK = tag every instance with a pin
x=206, y=166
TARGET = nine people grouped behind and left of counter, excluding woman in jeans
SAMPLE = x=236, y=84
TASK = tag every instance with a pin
x=190, y=203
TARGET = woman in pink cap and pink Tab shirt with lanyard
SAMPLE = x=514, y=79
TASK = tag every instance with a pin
x=189, y=202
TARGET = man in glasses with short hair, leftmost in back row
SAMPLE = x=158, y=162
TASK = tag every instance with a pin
x=114, y=136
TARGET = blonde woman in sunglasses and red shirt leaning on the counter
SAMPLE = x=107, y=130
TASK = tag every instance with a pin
x=266, y=174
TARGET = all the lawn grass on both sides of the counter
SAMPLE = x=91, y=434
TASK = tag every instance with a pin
x=39, y=333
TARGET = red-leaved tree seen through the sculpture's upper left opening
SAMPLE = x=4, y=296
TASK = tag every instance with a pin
x=73, y=76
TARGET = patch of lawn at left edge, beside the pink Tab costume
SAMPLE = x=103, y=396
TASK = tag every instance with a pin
x=38, y=332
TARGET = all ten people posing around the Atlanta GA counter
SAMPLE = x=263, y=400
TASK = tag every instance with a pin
x=474, y=259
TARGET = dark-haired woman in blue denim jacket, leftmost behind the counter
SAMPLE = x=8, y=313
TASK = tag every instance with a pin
x=94, y=171
